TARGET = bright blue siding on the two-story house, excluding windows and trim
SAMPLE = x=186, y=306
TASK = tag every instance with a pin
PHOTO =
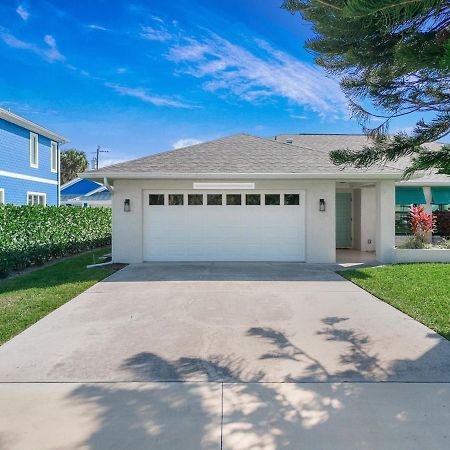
x=15, y=157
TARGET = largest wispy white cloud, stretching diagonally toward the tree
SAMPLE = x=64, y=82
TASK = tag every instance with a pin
x=258, y=74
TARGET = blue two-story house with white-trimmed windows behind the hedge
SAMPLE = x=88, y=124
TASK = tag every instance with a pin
x=29, y=162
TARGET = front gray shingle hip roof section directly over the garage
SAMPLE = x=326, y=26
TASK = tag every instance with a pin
x=238, y=154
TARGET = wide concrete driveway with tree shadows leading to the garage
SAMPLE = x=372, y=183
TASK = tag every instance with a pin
x=225, y=355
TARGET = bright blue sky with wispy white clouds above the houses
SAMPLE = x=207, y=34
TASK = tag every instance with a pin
x=137, y=78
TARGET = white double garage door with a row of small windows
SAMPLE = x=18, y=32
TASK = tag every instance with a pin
x=224, y=226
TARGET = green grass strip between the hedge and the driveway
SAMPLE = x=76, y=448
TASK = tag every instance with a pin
x=27, y=298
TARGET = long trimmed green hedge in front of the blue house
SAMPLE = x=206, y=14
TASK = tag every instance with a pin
x=35, y=234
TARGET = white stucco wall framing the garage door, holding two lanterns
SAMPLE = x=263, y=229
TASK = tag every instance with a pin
x=127, y=234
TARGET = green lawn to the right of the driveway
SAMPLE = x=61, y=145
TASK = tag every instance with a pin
x=420, y=290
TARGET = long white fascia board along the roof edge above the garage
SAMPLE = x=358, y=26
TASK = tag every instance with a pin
x=326, y=176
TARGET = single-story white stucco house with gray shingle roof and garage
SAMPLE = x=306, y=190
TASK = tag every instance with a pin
x=247, y=198
